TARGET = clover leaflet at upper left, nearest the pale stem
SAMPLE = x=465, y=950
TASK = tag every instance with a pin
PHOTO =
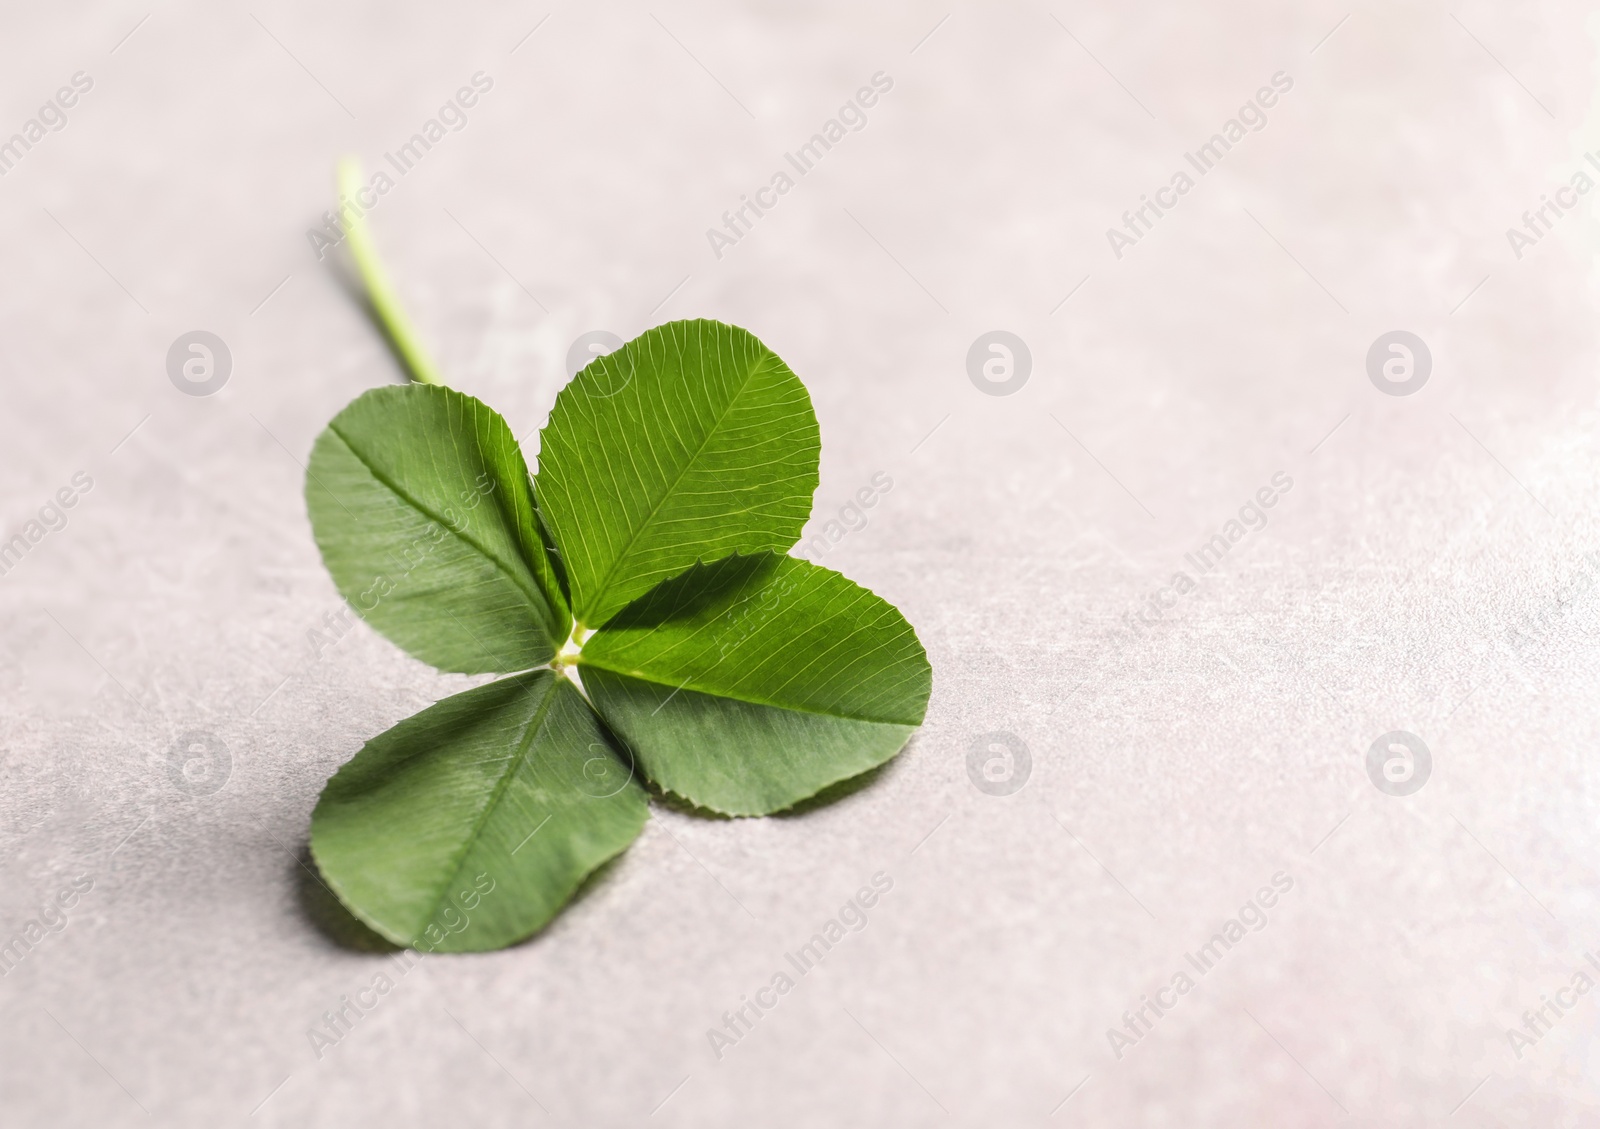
x=423, y=513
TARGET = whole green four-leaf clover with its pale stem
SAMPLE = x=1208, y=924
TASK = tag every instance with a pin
x=647, y=559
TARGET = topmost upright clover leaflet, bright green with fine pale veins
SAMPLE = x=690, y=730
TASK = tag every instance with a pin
x=690, y=442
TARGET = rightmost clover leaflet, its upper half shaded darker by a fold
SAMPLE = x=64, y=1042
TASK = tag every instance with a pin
x=754, y=684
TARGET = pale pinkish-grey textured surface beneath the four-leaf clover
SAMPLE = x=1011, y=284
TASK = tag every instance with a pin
x=1175, y=768
